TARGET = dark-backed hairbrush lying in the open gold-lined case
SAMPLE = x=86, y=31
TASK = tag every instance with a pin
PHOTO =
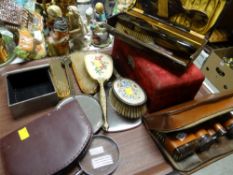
x=151, y=35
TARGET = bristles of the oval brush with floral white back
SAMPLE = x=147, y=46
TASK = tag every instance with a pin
x=125, y=110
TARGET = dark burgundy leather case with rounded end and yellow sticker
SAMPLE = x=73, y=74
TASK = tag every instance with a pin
x=48, y=144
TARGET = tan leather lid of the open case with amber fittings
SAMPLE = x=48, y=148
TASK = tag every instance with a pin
x=190, y=113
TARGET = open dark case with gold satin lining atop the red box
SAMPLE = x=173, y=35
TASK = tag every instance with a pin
x=173, y=31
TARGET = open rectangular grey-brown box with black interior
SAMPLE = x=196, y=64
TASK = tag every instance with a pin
x=30, y=90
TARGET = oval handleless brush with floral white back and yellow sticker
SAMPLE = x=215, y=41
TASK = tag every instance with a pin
x=128, y=98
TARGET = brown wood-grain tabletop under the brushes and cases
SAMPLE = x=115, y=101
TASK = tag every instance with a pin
x=138, y=152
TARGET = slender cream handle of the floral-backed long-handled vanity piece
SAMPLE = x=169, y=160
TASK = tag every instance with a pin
x=103, y=105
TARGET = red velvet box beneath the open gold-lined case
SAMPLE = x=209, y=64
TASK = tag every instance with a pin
x=164, y=86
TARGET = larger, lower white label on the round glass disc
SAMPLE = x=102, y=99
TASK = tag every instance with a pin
x=102, y=161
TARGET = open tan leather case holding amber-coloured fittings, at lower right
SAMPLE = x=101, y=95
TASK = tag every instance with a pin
x=196, y=133
